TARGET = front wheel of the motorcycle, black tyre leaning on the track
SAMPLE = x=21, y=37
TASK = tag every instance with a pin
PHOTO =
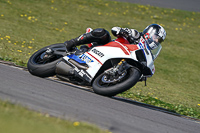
x=108, y=86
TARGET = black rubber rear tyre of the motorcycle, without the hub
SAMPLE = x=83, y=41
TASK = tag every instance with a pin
x=44, y=69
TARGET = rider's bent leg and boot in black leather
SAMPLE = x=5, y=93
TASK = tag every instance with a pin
x=101, y=36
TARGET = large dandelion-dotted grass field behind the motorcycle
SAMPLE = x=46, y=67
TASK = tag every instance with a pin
x=26, y=26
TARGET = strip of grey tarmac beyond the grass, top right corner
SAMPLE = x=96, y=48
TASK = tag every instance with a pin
x=188, y=5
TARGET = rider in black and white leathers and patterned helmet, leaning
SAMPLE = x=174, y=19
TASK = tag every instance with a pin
x=153, y=33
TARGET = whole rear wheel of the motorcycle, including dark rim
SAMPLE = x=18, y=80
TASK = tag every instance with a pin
x=43, y=62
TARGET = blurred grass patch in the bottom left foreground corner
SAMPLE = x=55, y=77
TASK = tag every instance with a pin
x=16, y=119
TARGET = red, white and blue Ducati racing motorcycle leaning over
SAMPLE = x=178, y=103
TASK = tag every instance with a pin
x=110, y=69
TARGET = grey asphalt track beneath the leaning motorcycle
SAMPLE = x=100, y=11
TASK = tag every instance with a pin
x=72, y=103
